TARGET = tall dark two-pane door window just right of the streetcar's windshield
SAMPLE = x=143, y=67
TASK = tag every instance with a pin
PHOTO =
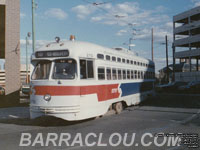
x=86, y=69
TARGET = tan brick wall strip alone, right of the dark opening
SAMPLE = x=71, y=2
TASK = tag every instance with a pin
x=12, y=51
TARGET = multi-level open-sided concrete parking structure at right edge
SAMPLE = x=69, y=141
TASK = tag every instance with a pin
x=186, y=46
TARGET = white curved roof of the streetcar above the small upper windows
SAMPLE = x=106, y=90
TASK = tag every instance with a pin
x=79, y=49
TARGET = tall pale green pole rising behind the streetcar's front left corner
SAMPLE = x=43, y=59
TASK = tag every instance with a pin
x=33, y=24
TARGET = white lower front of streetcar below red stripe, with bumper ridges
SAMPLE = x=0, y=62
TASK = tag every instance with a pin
x=65, y=107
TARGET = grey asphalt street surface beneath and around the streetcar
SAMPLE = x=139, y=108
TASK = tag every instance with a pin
x=136, y=119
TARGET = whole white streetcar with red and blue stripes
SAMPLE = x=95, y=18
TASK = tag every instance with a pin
x=75, y=80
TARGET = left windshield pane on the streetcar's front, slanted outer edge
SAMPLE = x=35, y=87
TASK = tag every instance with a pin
x=42, y=70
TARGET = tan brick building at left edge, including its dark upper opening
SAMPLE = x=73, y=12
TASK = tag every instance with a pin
x=10, y=43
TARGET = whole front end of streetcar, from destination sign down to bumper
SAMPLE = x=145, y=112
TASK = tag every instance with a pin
x=53, y=90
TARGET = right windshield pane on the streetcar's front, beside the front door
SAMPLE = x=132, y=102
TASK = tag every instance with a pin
x=64, y=69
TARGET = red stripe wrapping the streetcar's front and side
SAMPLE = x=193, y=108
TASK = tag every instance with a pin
x=104, y=92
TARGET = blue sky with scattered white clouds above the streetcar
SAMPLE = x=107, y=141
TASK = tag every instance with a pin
x=109, y=23
